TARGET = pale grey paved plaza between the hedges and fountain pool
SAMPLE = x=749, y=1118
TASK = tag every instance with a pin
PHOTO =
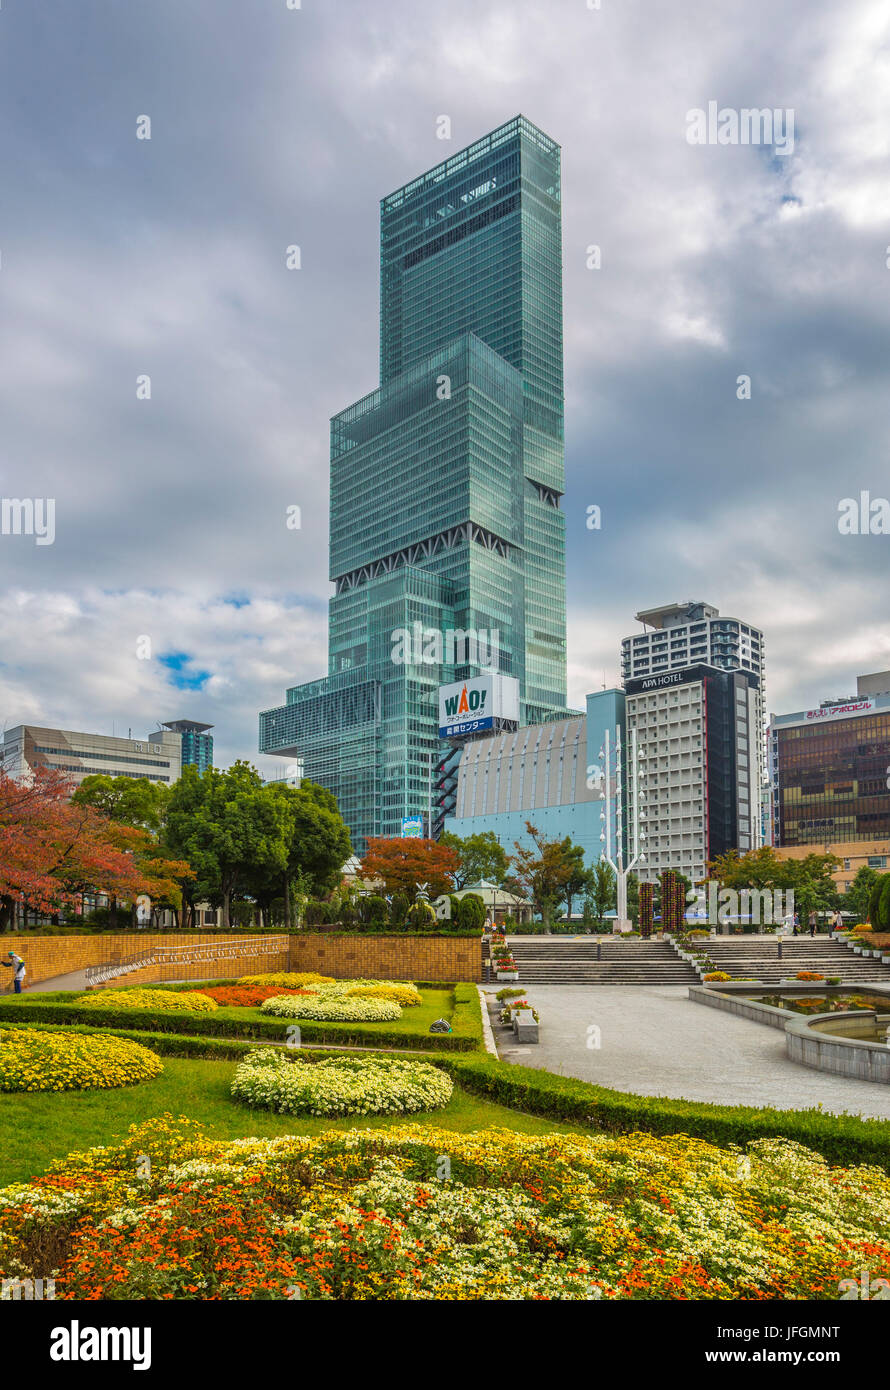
x=656, y=1042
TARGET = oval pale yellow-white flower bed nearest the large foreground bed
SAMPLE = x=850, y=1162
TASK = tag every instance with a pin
x=340, y=1086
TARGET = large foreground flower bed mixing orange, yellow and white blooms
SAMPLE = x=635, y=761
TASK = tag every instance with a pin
x=366, y=1216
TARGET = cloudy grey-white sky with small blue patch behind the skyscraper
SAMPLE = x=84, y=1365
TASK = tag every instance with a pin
x=166, y=258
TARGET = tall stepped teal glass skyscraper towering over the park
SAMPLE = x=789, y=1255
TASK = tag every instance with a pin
x=446, y=482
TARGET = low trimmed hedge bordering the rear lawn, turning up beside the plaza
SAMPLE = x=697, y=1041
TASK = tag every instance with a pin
x=467, y=1035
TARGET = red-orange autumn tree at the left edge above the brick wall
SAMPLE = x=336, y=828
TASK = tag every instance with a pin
x=54, y=850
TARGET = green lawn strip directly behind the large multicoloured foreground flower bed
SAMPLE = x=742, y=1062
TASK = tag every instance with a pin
x=40, y=1128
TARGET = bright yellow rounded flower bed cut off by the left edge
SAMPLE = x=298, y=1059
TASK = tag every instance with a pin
x=44, y=1061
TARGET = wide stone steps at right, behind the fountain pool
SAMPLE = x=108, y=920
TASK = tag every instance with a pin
x=759, y=957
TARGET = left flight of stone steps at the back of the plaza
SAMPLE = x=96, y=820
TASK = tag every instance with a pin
x=567, y=961
